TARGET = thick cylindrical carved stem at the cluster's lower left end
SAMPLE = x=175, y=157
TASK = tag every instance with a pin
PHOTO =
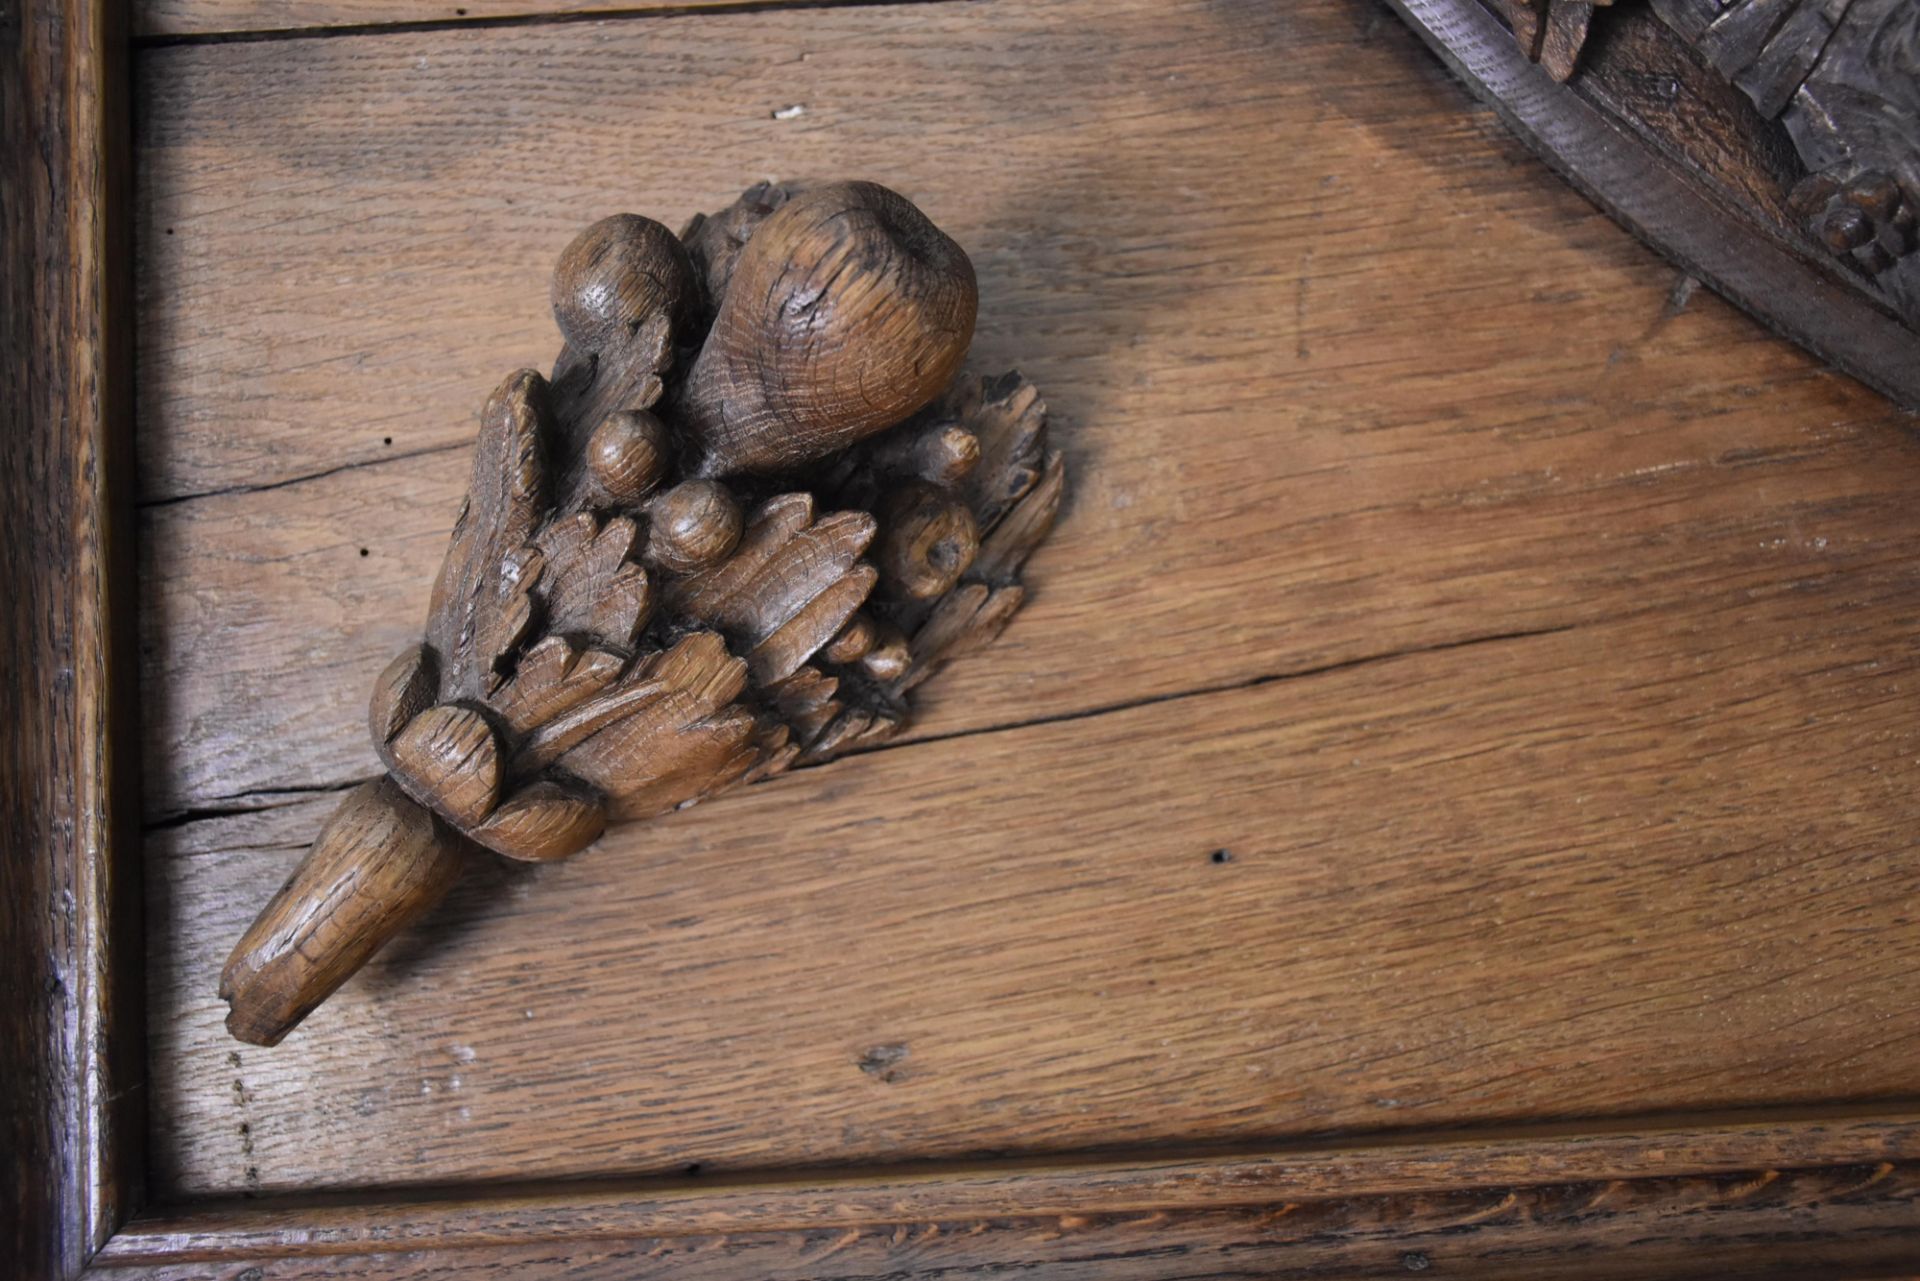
x=379, y=863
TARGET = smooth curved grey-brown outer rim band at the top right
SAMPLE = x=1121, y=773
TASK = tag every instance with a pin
x=1666, y=206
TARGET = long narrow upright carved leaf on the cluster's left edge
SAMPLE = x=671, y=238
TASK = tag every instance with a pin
x=475, y=598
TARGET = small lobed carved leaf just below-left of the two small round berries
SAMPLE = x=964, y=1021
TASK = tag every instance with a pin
x=590, y=587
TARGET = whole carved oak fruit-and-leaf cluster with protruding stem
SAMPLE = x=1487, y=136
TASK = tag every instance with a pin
x=750, y=512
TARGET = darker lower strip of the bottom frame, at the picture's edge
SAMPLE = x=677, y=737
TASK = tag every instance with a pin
x=1829, y=1222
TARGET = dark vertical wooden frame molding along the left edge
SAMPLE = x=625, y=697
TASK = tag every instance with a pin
x=72, y=1050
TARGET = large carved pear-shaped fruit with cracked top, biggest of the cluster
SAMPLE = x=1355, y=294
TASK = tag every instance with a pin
x=848, y=312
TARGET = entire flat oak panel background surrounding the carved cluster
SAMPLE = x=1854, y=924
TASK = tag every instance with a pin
x=1345, y=379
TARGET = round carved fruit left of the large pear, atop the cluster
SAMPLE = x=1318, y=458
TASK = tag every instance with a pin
x=615, y=276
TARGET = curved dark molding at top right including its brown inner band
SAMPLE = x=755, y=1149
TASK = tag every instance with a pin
x=1683, y=160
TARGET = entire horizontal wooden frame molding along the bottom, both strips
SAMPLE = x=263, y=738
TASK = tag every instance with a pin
x=1833, y=1197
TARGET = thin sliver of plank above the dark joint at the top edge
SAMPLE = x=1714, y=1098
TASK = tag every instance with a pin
x=208, y=18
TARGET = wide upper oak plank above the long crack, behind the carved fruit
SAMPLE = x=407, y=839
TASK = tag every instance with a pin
x=1339, y=372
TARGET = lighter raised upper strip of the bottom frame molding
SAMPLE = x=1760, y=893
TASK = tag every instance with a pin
x=1034, y=1190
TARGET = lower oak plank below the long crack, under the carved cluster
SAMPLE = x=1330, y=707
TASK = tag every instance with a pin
x=1662, y=863
